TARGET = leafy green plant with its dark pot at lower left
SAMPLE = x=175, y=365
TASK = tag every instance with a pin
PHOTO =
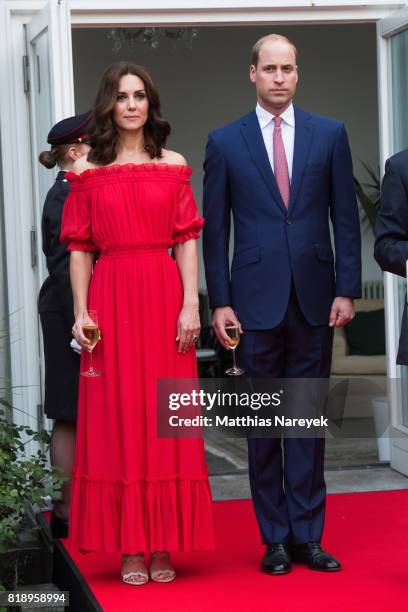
x=25, y=480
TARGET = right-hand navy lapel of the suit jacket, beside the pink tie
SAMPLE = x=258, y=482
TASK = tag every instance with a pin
x=304, y=129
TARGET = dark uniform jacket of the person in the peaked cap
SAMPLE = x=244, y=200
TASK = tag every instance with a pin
x=56, y=293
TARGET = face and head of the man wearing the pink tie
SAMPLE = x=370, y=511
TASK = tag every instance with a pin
x=275, y=76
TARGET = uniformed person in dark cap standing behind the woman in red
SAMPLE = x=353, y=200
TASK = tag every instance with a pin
x=56, y=311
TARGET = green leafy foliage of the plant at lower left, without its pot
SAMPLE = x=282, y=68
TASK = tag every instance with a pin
x=25, y=479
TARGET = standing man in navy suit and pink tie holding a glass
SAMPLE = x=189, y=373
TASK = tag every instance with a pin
x=282, y=172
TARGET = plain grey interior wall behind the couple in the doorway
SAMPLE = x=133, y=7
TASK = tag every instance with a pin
x=208, y=86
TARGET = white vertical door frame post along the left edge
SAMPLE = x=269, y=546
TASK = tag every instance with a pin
x=17, y=189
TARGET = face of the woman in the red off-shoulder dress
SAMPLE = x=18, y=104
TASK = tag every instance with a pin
x=131, y=106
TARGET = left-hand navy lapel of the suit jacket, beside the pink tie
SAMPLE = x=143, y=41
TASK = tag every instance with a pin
x=252, y=135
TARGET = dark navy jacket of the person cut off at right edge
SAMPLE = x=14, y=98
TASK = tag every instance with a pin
x=391, y=230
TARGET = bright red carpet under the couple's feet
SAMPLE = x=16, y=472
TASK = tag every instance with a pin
x=367, y=531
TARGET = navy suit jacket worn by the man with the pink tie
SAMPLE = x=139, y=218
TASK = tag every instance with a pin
x=273, y=244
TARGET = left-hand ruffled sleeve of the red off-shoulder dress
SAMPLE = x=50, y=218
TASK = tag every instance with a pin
x=76, y=228
